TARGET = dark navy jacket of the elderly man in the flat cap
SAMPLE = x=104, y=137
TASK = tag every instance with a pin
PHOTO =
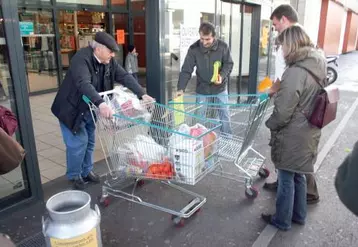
x=86, y=76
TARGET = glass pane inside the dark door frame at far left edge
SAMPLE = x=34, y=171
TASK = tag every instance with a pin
x=16, y=181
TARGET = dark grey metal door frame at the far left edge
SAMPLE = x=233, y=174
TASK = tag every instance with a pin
x=30, y=169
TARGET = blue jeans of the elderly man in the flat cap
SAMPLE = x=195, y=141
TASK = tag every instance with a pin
x=79, y=148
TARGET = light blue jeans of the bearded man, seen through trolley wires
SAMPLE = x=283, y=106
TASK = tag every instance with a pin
x=220, y=100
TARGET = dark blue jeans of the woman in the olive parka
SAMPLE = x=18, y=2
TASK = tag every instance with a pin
x=291, y=202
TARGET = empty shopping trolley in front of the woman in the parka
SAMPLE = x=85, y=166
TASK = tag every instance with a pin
x=241, y=116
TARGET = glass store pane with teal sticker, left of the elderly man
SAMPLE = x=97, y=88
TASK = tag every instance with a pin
x=38, y=39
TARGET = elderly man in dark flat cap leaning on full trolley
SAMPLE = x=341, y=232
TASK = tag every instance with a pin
x=92, y=70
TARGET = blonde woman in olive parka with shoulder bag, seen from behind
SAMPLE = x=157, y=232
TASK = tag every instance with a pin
x=294, y=141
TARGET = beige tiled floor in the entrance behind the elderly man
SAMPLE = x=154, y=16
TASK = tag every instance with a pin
x=49, y=143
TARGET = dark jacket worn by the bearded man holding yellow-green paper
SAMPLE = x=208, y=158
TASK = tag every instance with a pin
x=203, y=59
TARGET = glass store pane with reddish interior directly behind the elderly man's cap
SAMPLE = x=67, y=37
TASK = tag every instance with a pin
x=77, y=29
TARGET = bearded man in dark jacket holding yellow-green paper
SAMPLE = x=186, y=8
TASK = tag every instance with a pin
x=209, y=54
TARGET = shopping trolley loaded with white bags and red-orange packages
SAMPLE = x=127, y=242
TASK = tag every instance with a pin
x=154, y=145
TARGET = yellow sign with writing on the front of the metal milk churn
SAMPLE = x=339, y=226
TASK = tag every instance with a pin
x=88, y=239
